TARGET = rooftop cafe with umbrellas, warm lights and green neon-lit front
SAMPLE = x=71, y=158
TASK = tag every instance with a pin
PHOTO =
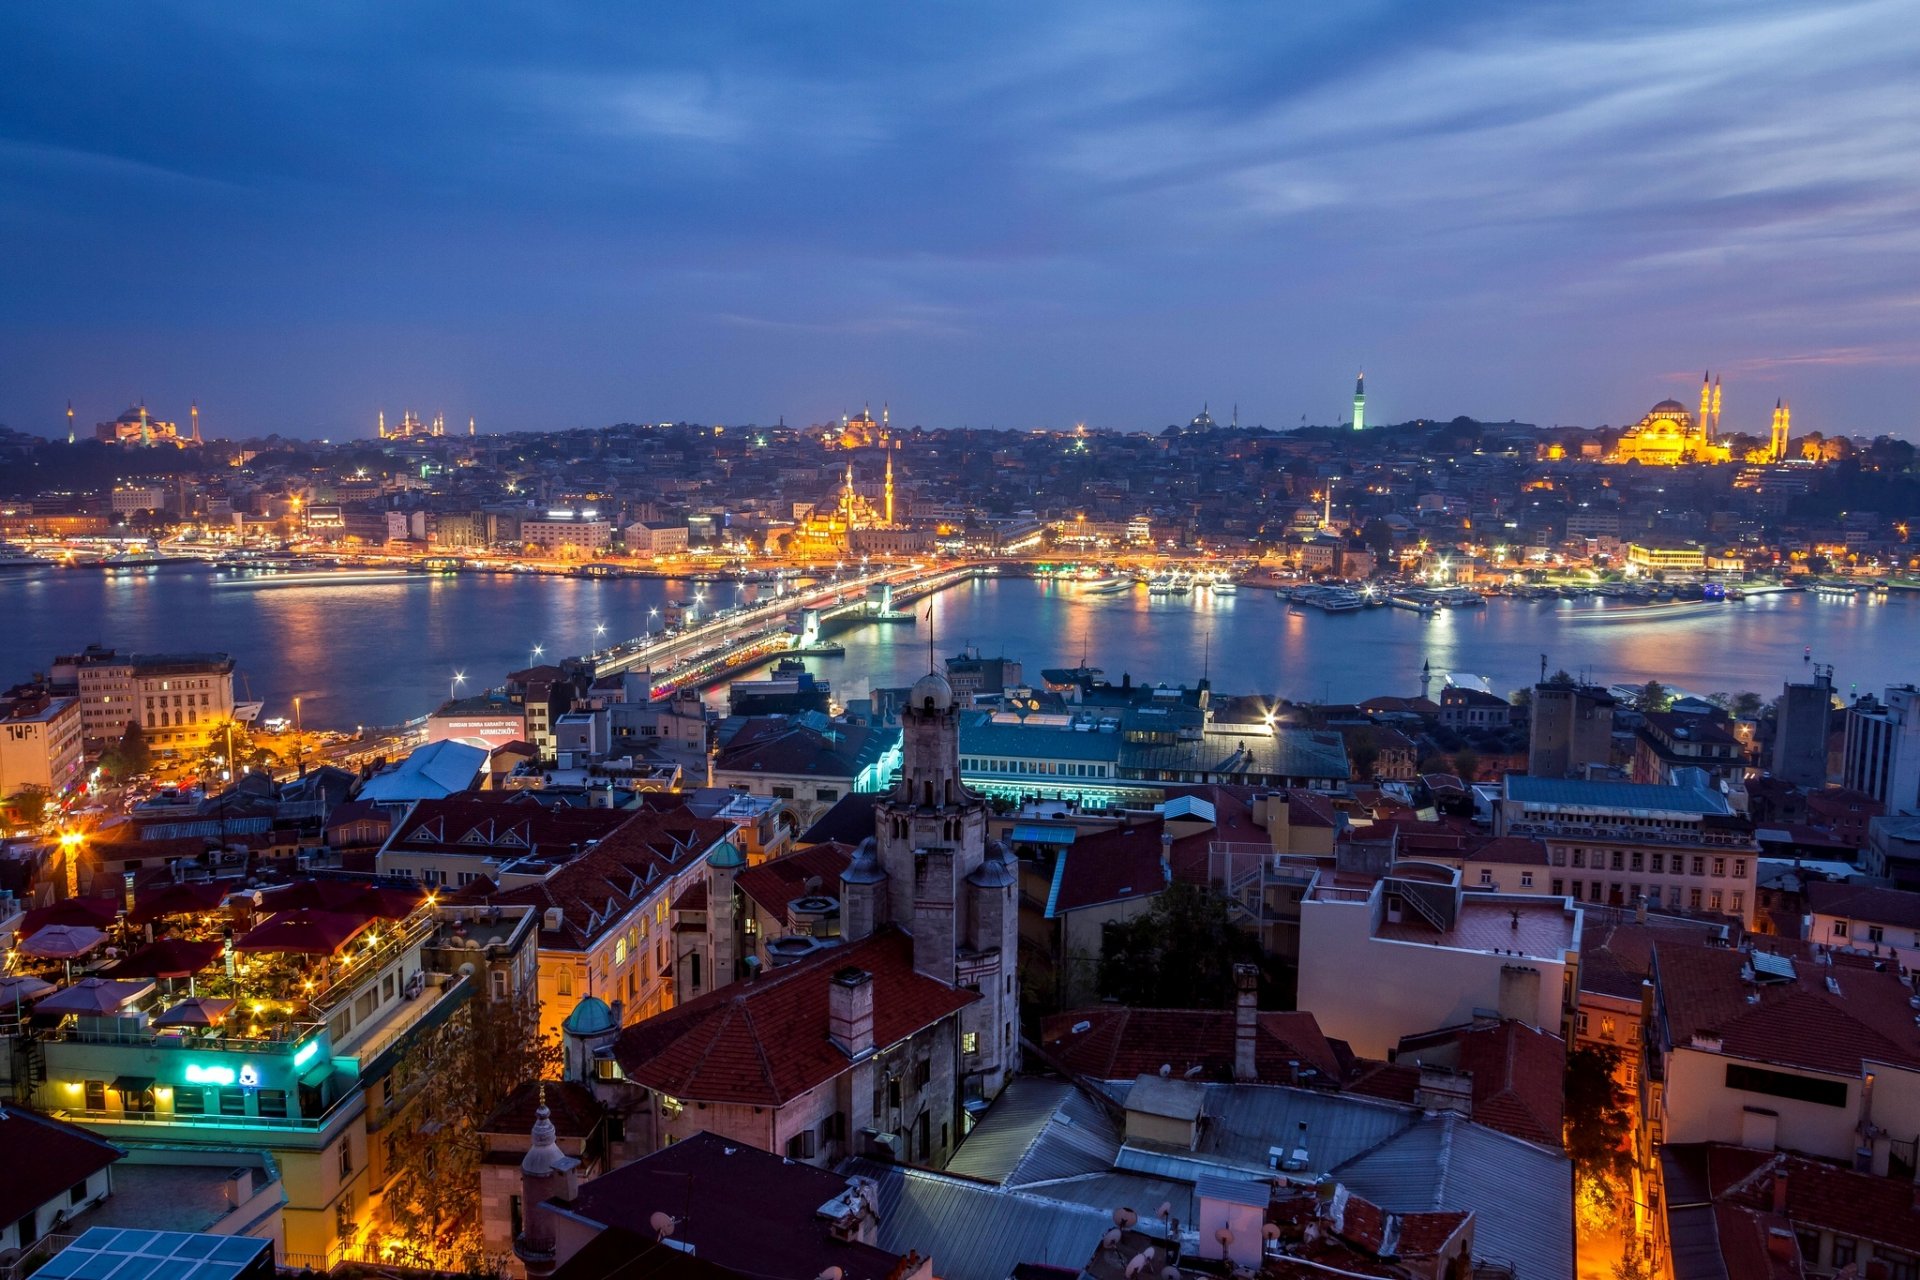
x=197, y=1001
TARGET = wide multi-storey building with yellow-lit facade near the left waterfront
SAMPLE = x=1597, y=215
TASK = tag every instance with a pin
x=180, y=699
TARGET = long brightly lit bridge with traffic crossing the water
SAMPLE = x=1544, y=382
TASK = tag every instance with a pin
x=740, y=638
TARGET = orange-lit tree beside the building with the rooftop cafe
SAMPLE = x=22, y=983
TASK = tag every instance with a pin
x=446, y=1085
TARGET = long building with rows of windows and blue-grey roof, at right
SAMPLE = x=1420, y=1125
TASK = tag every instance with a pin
x=1621, y=843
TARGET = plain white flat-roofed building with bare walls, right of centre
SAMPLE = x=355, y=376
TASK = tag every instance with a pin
x=1393, y=955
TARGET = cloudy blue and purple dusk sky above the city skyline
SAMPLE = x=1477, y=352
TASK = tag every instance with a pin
x=1015, y=216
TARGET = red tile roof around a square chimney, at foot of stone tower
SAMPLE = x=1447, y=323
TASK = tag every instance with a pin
x=765, y=1043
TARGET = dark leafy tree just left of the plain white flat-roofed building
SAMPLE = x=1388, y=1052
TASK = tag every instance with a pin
x=1176, y=957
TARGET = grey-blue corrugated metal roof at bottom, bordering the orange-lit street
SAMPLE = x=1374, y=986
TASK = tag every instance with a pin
x=1522, y=1195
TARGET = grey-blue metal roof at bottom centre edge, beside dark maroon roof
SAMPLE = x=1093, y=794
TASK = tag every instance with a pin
x=974, y=1231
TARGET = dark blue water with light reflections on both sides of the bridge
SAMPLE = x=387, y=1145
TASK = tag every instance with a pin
x=381, y=653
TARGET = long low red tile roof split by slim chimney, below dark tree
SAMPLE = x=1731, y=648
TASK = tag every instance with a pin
x=1122, y=1045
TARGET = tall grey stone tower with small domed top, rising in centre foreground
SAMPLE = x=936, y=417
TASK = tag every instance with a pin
x=932, y=872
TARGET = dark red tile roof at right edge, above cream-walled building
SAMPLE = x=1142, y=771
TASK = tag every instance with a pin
x=1796, y=1024
